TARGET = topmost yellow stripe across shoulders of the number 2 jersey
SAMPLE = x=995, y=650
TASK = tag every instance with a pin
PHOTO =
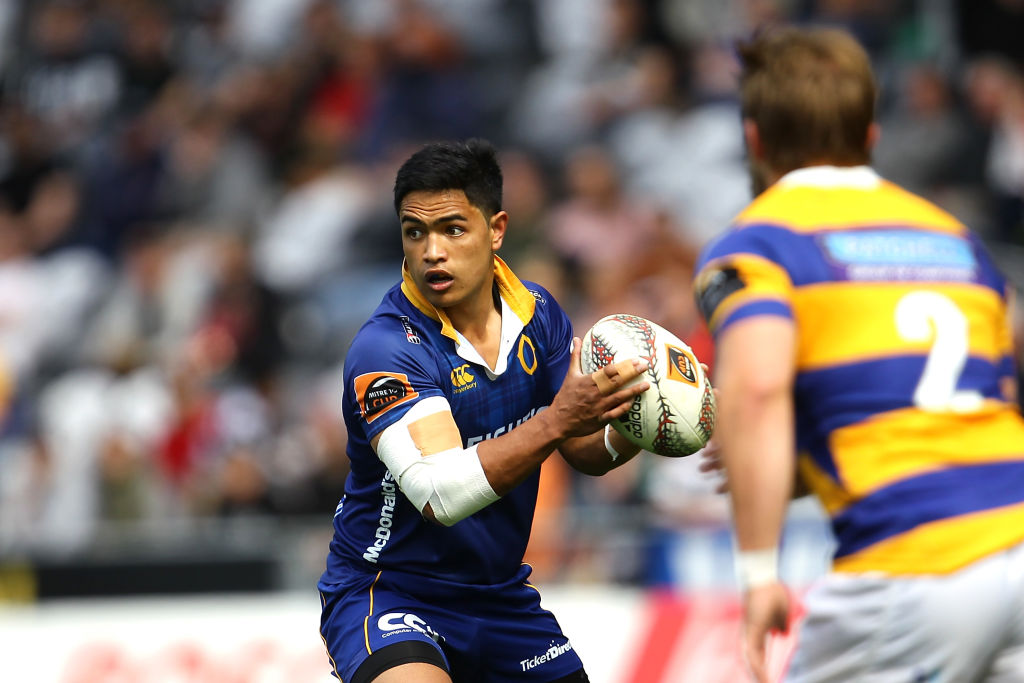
x=800, y=208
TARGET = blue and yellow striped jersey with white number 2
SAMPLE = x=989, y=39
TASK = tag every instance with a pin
x=905, y=429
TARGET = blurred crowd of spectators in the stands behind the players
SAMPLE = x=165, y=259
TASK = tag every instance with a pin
x=196, y=214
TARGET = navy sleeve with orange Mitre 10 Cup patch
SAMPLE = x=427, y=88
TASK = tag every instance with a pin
x=386, y=376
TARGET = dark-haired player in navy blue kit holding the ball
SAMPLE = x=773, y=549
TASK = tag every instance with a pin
x=456, y=391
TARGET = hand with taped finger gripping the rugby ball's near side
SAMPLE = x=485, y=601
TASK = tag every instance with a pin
x=586, y=403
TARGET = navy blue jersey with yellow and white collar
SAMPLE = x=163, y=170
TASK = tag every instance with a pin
x=407, y=352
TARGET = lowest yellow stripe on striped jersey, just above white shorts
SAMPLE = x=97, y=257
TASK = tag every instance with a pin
x=942, y=547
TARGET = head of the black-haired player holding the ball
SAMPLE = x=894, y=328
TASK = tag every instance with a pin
x=449, y=200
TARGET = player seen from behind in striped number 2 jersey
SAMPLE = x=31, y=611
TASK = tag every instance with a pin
x=864, y=341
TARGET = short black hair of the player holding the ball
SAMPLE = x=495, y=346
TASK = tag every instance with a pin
x=471, y=166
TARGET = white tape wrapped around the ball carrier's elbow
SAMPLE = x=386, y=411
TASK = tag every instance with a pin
x=452, y=482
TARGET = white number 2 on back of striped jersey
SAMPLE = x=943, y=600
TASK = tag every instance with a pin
x=929, y=316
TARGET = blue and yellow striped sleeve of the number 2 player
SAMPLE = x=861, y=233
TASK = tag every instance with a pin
x=741, y=276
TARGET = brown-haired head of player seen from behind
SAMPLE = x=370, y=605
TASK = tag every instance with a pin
x=808, y=98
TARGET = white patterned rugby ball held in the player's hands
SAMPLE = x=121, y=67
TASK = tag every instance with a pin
x=676, y=416
